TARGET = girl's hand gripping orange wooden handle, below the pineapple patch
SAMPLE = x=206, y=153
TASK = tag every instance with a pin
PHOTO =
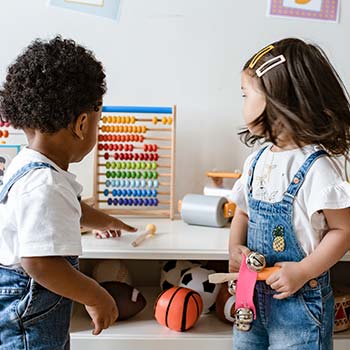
x=287, y=280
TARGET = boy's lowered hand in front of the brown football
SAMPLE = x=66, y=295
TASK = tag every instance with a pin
x=103, y=313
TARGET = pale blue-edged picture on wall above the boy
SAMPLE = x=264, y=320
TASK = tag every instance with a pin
x=103, y=8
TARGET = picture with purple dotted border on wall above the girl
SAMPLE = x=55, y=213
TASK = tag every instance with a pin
x=319, y=10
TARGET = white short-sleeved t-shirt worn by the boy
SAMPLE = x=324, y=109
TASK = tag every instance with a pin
x=41, y=216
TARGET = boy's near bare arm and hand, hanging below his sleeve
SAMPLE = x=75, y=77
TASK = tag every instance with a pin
x=57, y=275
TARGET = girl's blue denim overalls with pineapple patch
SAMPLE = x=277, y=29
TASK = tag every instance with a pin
x=304, y=321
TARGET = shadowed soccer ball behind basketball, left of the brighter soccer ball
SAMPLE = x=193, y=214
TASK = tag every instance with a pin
x=172, y=271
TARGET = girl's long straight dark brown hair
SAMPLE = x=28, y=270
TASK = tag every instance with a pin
x=305, y=98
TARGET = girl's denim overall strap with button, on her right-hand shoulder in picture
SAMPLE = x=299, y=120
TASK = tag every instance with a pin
x=299, y=177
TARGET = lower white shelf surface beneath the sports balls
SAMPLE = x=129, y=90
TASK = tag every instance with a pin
x=143, y=332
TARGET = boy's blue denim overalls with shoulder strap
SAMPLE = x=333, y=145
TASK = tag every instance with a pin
x=31, y=317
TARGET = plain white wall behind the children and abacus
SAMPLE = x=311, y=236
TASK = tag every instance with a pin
x=184, y=52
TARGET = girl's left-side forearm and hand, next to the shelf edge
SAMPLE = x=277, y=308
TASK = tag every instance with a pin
x=238, y=239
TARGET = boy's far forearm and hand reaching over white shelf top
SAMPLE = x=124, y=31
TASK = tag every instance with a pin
x=96, y=219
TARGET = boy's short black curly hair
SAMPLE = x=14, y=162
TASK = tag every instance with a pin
x=50, y=84
